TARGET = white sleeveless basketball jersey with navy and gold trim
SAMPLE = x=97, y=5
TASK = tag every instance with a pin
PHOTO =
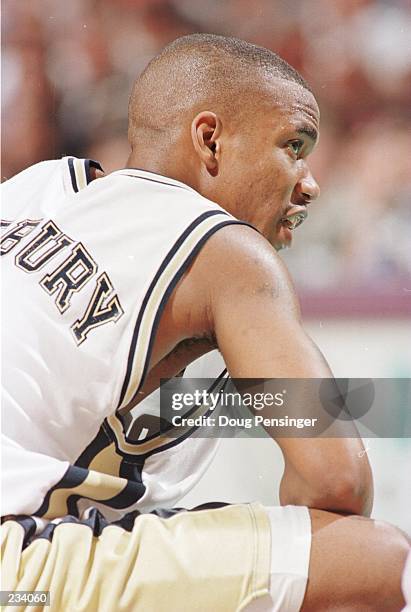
x=87, y=270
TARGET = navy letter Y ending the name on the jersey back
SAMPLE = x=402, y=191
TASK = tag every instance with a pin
x=101, y=310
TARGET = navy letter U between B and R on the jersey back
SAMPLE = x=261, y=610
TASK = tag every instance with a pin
x=43, y=248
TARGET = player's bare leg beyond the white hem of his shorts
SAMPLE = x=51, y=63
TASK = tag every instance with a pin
x=356, y=563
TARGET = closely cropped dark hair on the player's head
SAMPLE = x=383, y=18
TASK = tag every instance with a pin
x=198, y=72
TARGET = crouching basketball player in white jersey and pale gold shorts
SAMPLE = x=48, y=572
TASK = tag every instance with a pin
x=111, y=284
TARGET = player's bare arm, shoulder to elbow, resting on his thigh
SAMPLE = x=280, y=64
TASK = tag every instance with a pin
x=255, y=316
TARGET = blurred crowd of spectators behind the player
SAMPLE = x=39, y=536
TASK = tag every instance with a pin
x=68, y=69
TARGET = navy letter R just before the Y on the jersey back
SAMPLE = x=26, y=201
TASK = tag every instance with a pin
x=70, y=277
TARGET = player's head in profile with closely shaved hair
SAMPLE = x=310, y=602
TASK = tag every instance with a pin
x=233, y=121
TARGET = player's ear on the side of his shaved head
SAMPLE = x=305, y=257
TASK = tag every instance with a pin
x=205, y=133
